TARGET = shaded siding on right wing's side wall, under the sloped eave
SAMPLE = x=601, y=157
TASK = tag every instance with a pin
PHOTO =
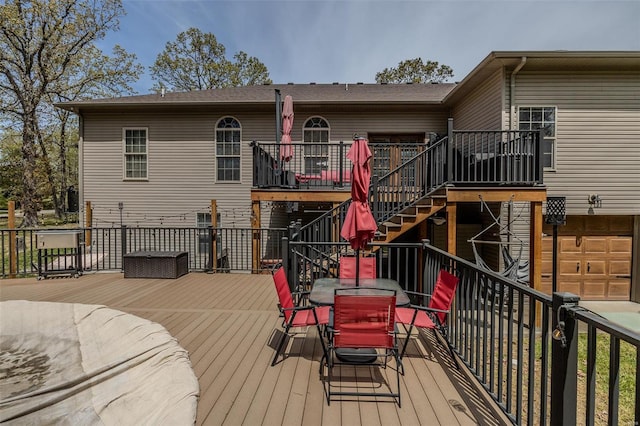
x=482, y=108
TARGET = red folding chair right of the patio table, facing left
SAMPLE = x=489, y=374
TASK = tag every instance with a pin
x=434, y=315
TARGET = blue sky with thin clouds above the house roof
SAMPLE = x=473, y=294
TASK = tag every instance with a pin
x=348, y=41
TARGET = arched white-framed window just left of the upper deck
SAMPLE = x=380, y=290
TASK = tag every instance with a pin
x=228, y=137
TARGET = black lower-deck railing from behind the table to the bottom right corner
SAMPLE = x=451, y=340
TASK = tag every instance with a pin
x=544, y=360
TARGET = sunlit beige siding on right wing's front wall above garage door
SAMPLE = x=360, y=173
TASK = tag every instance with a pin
x=597, y=136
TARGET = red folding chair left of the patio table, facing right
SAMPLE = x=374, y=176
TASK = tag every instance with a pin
x=296, y=316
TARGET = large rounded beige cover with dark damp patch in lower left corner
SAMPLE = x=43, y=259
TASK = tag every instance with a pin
x=88, y=364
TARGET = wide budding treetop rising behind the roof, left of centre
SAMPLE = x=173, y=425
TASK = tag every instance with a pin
x=196, y=61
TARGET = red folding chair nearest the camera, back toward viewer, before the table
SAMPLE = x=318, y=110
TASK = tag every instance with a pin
x=362, y=321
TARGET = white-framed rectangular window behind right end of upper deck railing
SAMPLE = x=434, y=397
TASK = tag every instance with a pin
x=541, y=117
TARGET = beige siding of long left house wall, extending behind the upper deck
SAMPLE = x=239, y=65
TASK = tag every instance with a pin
x=181, y=159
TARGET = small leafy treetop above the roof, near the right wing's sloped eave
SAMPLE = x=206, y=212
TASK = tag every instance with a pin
x=415, y=71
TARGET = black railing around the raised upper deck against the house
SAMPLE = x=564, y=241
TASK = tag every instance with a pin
x=468, y=157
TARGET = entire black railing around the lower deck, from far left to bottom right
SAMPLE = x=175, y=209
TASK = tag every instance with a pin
x=544, y=360
